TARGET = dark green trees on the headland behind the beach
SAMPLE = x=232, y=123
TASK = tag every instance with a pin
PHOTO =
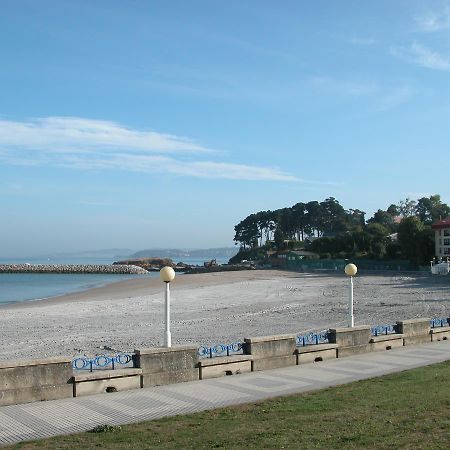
x=402, y=231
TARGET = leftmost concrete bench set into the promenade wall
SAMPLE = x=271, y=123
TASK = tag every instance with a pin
x=106, y=381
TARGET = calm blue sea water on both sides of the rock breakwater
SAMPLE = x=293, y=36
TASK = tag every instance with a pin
x=21, y=287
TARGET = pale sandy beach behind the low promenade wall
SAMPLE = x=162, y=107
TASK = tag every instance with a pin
x=212, y=308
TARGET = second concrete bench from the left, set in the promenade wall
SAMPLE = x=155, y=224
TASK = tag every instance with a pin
x=222, y=366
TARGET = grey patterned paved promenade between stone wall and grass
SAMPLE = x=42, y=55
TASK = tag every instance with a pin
x=45, y=419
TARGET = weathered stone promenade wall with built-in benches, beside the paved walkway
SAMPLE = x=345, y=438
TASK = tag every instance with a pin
x=54, y=378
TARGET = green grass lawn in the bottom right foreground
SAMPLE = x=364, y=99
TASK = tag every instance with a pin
x=408, y=410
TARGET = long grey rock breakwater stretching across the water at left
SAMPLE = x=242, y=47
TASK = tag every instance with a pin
x=73, y=268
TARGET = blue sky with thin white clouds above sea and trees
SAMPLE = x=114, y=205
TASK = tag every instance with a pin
x=151, y=124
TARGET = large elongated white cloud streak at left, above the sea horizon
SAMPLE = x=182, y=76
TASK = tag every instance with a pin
x=87, y=144
